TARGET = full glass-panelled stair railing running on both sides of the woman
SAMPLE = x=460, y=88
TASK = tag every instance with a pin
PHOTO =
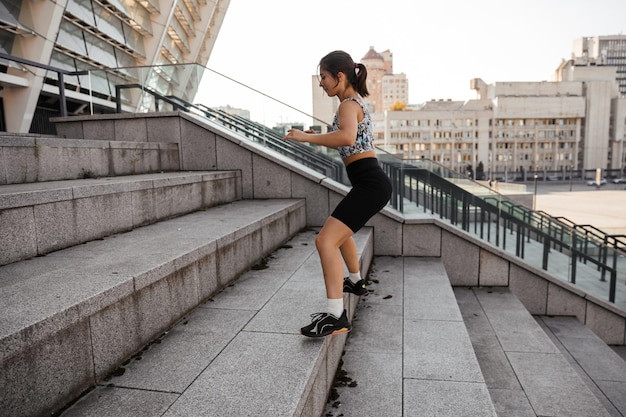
x=421, y=187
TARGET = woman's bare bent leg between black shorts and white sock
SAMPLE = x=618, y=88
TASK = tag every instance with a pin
x=330, y=239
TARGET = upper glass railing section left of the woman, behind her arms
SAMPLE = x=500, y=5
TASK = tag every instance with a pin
x=218, y=99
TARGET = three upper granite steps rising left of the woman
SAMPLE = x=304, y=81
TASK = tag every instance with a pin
x=95, y=269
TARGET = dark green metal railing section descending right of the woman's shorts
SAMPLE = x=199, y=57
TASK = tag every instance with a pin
x=580, y=254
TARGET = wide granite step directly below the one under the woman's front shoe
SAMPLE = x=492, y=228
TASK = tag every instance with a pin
x=409, y=353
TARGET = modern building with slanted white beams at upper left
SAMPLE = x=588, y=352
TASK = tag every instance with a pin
x=95, y=35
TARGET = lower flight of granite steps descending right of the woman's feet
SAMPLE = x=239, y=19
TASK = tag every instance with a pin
x=420, y=347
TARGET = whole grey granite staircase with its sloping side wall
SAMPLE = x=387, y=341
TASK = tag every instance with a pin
x=171, y=278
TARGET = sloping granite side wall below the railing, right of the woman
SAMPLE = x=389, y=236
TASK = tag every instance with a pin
x=471, y=262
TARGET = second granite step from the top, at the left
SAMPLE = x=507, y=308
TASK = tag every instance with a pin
x=38, y=218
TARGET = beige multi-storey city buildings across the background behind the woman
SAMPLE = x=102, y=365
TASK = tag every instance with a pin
x=513, y=129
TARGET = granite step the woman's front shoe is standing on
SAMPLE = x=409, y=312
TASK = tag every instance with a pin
x=240, y=353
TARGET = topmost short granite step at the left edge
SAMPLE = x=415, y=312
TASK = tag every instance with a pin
x=31, y=158
